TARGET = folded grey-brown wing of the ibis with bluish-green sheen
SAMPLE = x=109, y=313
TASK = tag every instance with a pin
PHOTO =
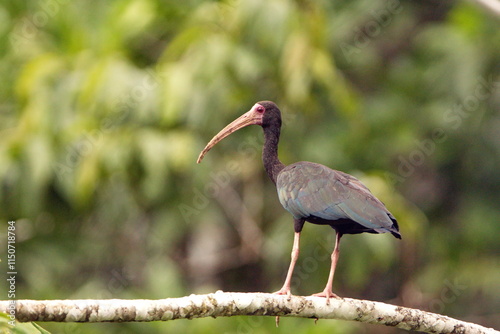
x=307, y=189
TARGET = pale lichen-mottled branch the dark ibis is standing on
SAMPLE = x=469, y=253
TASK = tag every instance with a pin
x=221, y=304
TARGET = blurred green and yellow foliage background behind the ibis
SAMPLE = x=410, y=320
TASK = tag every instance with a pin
x=104, y=107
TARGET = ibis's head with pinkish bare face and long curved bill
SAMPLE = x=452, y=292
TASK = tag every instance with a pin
x=263, y=113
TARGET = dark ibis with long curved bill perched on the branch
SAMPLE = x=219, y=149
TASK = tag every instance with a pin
x=313, y=192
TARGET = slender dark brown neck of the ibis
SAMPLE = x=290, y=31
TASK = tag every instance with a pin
x=272, y=163
